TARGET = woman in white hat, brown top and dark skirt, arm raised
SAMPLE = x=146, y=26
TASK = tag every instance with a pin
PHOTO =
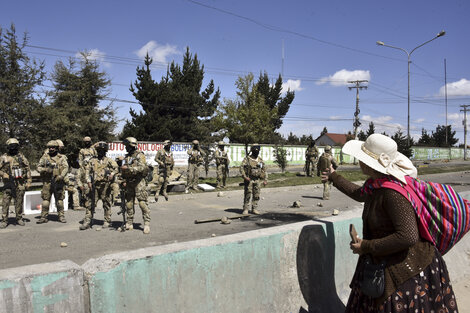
x=415, y=273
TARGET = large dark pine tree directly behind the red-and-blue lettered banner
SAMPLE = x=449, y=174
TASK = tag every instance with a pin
x=175, y=108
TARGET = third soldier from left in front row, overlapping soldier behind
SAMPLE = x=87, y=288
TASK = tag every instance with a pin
x=100, y=174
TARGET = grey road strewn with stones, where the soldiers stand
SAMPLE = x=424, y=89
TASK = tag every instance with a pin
x=174, y=221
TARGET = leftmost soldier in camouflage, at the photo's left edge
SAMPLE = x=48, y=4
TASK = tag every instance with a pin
x=16, y=175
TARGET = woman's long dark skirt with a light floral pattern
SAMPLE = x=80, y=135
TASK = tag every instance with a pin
x=429, y=291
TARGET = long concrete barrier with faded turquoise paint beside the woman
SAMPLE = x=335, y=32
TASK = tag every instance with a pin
x=281, y=269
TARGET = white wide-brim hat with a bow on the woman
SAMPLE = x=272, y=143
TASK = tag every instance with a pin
x=380, y=152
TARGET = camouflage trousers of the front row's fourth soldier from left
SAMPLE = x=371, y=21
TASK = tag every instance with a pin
x=137, y=191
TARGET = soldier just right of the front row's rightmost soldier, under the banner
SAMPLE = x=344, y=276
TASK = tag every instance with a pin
x=166, y=162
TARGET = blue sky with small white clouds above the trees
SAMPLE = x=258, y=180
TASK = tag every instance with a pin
x=326, y=43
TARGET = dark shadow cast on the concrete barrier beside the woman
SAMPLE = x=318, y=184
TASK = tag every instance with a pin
x=316, y=269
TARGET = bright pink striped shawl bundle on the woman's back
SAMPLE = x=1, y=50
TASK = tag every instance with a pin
x=443, y=215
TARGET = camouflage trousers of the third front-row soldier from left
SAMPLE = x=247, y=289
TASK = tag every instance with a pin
x=103, y=193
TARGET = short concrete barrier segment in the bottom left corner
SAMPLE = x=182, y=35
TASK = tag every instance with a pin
x=48, y=287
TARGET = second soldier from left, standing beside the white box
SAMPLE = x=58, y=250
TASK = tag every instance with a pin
x=53, y=168
